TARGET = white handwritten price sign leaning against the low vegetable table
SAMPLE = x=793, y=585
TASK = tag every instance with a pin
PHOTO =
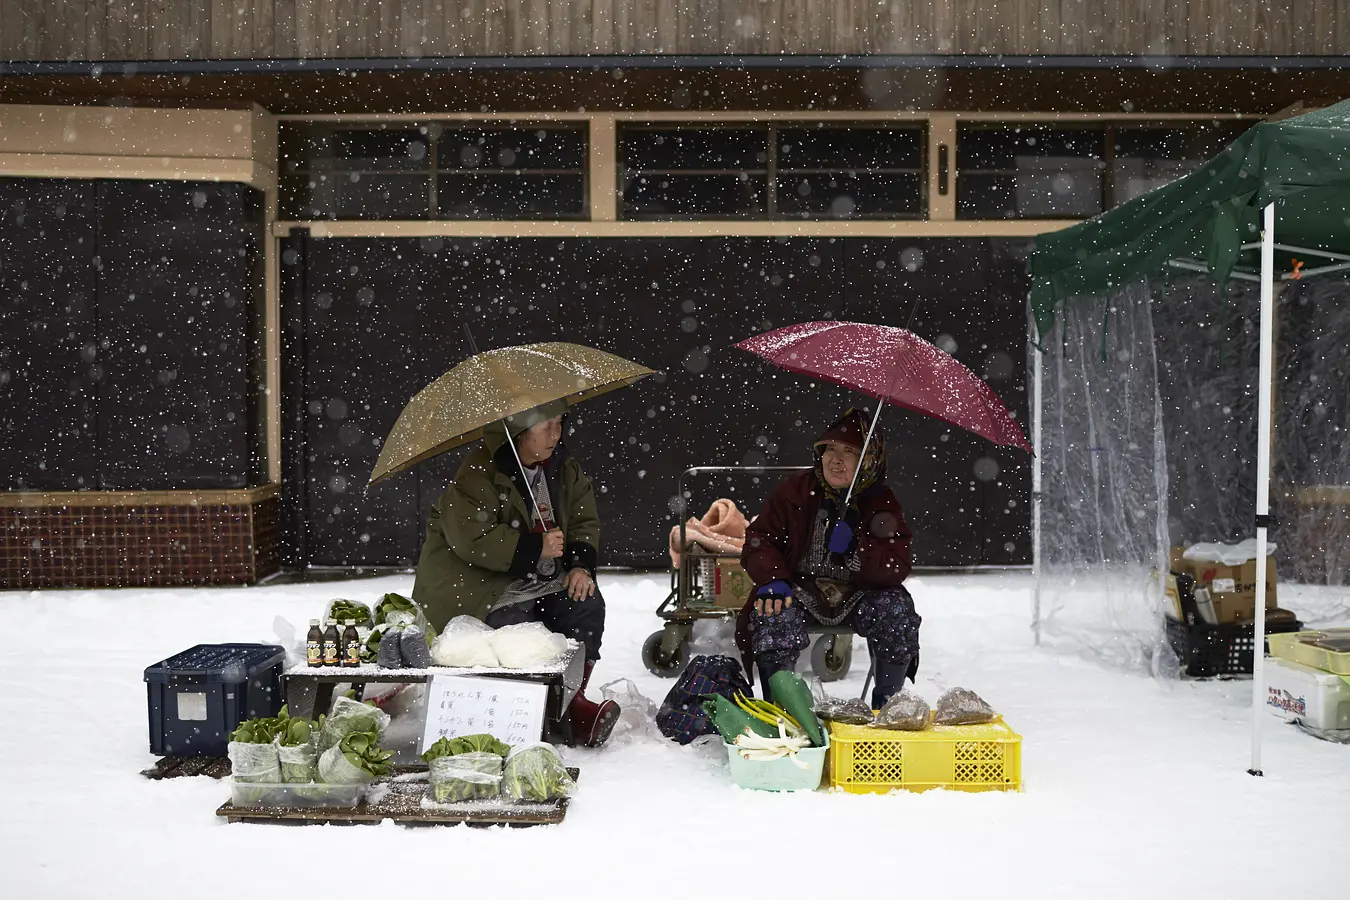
x=460, y=705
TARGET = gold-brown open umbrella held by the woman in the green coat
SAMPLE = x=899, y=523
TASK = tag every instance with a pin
x=487, y=388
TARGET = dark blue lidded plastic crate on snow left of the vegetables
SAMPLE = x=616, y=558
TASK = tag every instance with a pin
x=199, y=697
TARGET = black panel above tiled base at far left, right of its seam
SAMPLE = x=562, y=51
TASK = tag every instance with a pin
x=180, y=266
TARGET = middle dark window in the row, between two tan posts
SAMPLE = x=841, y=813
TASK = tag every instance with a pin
x=807, y=171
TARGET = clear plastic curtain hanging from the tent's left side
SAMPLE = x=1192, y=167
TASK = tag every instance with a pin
x=1104, y=484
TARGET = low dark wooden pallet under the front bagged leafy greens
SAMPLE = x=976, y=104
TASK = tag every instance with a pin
x=402, y=802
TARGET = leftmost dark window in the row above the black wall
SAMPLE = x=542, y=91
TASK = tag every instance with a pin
x=433, y=171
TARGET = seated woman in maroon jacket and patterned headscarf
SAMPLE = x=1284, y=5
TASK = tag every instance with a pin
x=813, y=562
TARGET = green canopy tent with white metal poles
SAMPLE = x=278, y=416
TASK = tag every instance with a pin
x=1285, y=180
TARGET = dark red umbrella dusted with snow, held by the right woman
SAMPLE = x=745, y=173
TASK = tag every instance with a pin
x=894, y=366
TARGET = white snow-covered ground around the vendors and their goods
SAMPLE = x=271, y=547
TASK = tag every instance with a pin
x=1135, y=787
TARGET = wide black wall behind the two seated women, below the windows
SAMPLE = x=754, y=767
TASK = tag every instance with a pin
x=385, y=318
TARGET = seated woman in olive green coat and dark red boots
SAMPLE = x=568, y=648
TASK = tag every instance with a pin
x=493, y=554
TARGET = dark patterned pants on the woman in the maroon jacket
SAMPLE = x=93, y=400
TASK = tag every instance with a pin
x=885, y=617
